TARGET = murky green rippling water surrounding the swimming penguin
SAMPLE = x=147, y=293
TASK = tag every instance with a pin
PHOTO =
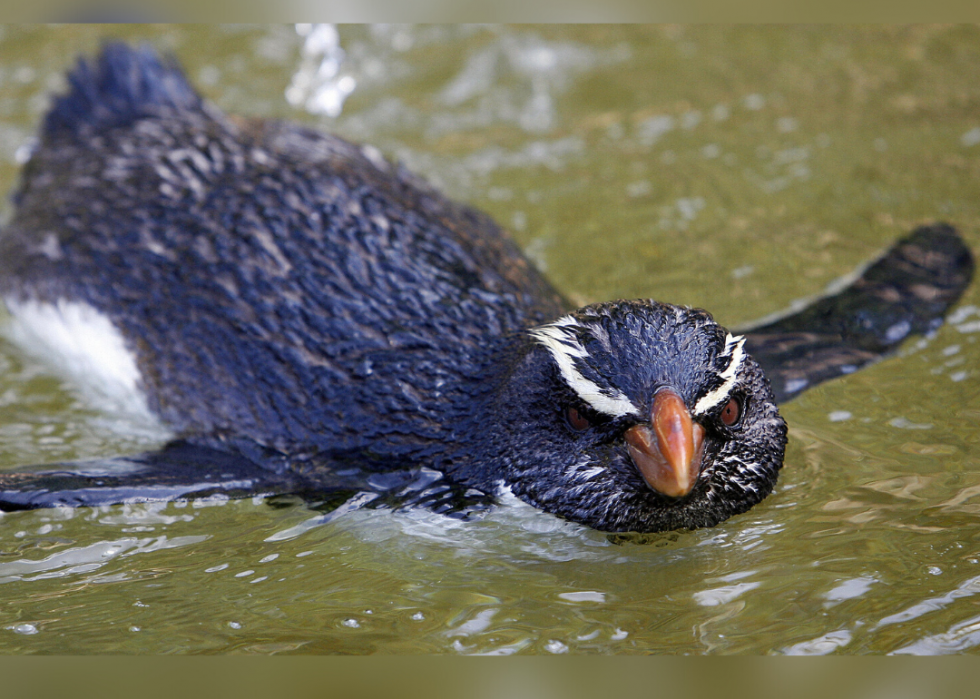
x=736, y=169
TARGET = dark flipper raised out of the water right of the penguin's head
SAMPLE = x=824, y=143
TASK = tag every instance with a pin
x=907, y=291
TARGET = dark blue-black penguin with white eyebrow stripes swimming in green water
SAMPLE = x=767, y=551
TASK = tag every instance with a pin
x=308, y=317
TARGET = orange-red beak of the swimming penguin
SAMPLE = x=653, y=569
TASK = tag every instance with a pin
x=668, y=451
